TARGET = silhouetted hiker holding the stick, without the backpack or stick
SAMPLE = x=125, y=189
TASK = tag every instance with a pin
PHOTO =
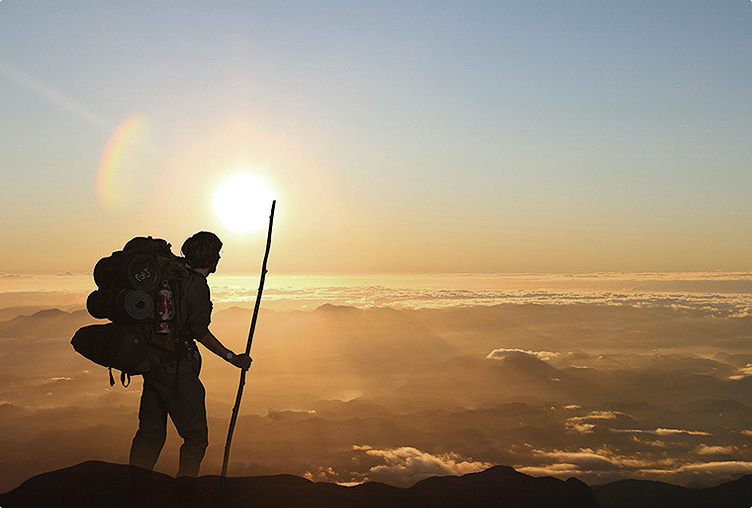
x=173, y=388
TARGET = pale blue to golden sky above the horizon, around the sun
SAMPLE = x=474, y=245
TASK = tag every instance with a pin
x=398, y=137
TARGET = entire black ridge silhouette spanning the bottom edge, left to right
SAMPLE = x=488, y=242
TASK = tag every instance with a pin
x=95, y=483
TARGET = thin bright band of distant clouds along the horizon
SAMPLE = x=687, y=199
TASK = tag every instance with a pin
x=713, y=293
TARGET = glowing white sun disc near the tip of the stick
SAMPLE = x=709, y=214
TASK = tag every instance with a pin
x=242, y=202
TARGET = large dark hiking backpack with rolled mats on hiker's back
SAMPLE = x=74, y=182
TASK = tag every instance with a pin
x=140, y=291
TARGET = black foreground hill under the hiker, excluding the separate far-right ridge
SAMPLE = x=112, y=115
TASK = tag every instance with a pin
x=104, y=484
